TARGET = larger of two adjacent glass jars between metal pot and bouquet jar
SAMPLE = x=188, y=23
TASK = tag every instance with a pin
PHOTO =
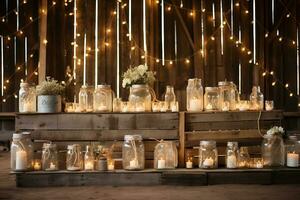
x=103, y=98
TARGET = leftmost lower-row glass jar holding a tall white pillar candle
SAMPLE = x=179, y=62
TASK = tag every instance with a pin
x=20, y=154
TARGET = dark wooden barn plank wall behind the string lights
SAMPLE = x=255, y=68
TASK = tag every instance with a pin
x=271, y=54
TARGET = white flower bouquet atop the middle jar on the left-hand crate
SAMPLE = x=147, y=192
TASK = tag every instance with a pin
x=138, y=75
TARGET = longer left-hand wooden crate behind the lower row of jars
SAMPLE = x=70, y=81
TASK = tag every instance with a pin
x=100, y=128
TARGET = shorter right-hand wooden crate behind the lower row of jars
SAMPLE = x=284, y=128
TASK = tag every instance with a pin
x=242, y=127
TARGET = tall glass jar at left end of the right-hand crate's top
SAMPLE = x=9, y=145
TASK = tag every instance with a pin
x=194, y=91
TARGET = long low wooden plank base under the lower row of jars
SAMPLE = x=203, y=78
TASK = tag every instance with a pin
x=159, y=177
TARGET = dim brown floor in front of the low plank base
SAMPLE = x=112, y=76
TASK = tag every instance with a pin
x=8, y=191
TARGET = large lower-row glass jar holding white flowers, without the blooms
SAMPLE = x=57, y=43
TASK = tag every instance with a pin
x=273, y=150
